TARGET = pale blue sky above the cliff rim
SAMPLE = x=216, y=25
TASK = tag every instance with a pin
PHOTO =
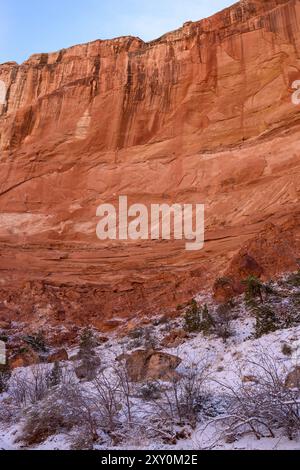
x=30, y=26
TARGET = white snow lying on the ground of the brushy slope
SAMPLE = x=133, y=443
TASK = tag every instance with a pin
x=225, y=363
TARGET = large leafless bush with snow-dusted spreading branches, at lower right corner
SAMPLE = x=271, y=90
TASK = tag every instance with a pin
x=261, y=403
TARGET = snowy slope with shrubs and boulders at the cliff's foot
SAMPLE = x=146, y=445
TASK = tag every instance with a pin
x=235, y=388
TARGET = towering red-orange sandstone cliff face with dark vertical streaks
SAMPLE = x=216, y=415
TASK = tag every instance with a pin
x=201, y=115
